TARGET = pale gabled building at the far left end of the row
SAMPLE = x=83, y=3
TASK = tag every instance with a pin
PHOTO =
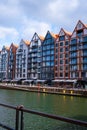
x=4, y=62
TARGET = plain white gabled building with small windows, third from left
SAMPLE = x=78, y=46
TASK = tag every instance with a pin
x=21, y=60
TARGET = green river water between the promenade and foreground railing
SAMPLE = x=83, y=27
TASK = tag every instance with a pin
x=67, y=106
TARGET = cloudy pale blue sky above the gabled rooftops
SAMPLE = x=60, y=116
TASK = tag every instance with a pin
x=20, y=19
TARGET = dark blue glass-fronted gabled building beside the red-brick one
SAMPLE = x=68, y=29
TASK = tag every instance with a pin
x=47, y=69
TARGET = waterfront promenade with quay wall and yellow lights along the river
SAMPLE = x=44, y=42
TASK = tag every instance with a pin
x=47, y=89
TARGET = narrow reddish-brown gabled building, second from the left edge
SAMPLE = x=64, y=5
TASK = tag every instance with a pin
x=12, y=61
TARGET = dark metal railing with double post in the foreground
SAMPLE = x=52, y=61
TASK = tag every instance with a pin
x=19, y=124
